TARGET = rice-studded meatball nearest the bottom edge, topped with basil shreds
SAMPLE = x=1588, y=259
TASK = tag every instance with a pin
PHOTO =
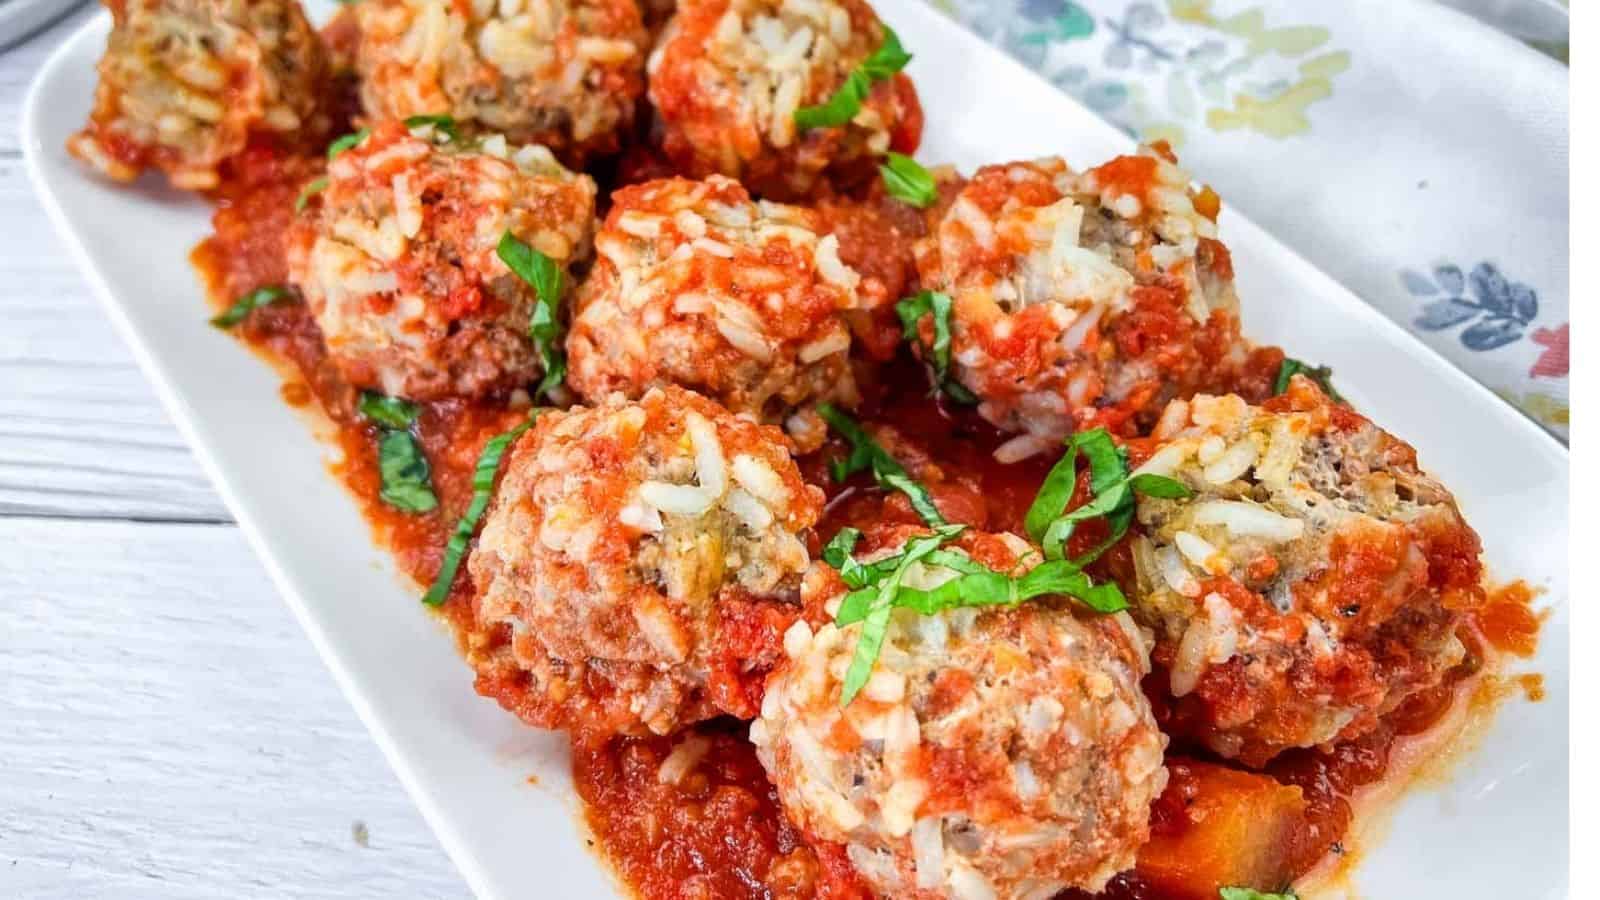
x=1001, y=752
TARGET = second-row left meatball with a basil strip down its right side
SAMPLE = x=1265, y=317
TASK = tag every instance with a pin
x=398, y=259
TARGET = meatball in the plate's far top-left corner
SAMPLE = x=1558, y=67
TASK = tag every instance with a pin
x=185, y=86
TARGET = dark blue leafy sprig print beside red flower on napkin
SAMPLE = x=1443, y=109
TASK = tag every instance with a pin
x=1498, y=308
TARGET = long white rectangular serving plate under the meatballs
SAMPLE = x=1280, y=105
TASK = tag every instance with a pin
x=1497, y=830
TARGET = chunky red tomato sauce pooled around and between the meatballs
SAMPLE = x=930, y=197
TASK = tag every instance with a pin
x=721, y=834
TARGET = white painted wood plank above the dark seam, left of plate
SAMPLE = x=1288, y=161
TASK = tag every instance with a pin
x=81, y=432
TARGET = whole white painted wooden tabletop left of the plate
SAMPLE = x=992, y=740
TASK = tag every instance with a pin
x=166, y=728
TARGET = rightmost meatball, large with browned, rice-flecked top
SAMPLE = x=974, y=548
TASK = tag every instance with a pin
x=1313, y=582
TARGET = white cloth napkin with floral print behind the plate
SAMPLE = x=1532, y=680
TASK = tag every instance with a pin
x=1412, y=151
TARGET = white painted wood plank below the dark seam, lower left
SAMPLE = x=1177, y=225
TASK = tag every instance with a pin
x=167, y=731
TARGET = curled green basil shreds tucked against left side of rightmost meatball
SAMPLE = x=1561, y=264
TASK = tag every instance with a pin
x=1111, y=488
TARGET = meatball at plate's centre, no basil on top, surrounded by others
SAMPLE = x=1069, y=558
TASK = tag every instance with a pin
x=697, y=286
